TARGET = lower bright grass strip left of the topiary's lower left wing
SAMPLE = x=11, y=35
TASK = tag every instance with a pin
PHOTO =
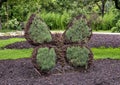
x=15, y=54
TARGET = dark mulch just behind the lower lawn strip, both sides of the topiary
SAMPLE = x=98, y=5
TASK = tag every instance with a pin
x=97, y=40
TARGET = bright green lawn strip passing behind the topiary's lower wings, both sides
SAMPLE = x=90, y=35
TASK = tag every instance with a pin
x=99, y=53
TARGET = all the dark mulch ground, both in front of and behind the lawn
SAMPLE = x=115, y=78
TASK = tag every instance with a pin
x=101, y=72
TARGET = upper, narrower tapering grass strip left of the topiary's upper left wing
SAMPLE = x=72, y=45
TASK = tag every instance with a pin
x=10, y=41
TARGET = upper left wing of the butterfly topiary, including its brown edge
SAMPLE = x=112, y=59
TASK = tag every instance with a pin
x=37, y=31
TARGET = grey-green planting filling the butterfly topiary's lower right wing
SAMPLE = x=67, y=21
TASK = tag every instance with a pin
x=78, y=56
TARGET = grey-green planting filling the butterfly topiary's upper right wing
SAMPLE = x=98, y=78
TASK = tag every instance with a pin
x=79, y=31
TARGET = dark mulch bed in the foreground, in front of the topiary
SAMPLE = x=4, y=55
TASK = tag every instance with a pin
x=22, y=72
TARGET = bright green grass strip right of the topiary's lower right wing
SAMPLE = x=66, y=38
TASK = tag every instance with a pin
x=104, y=53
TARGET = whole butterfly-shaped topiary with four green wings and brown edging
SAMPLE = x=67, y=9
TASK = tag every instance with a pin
x=54, y=50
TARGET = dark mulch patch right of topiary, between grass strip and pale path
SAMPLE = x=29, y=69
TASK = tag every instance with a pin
x=105, y=40
